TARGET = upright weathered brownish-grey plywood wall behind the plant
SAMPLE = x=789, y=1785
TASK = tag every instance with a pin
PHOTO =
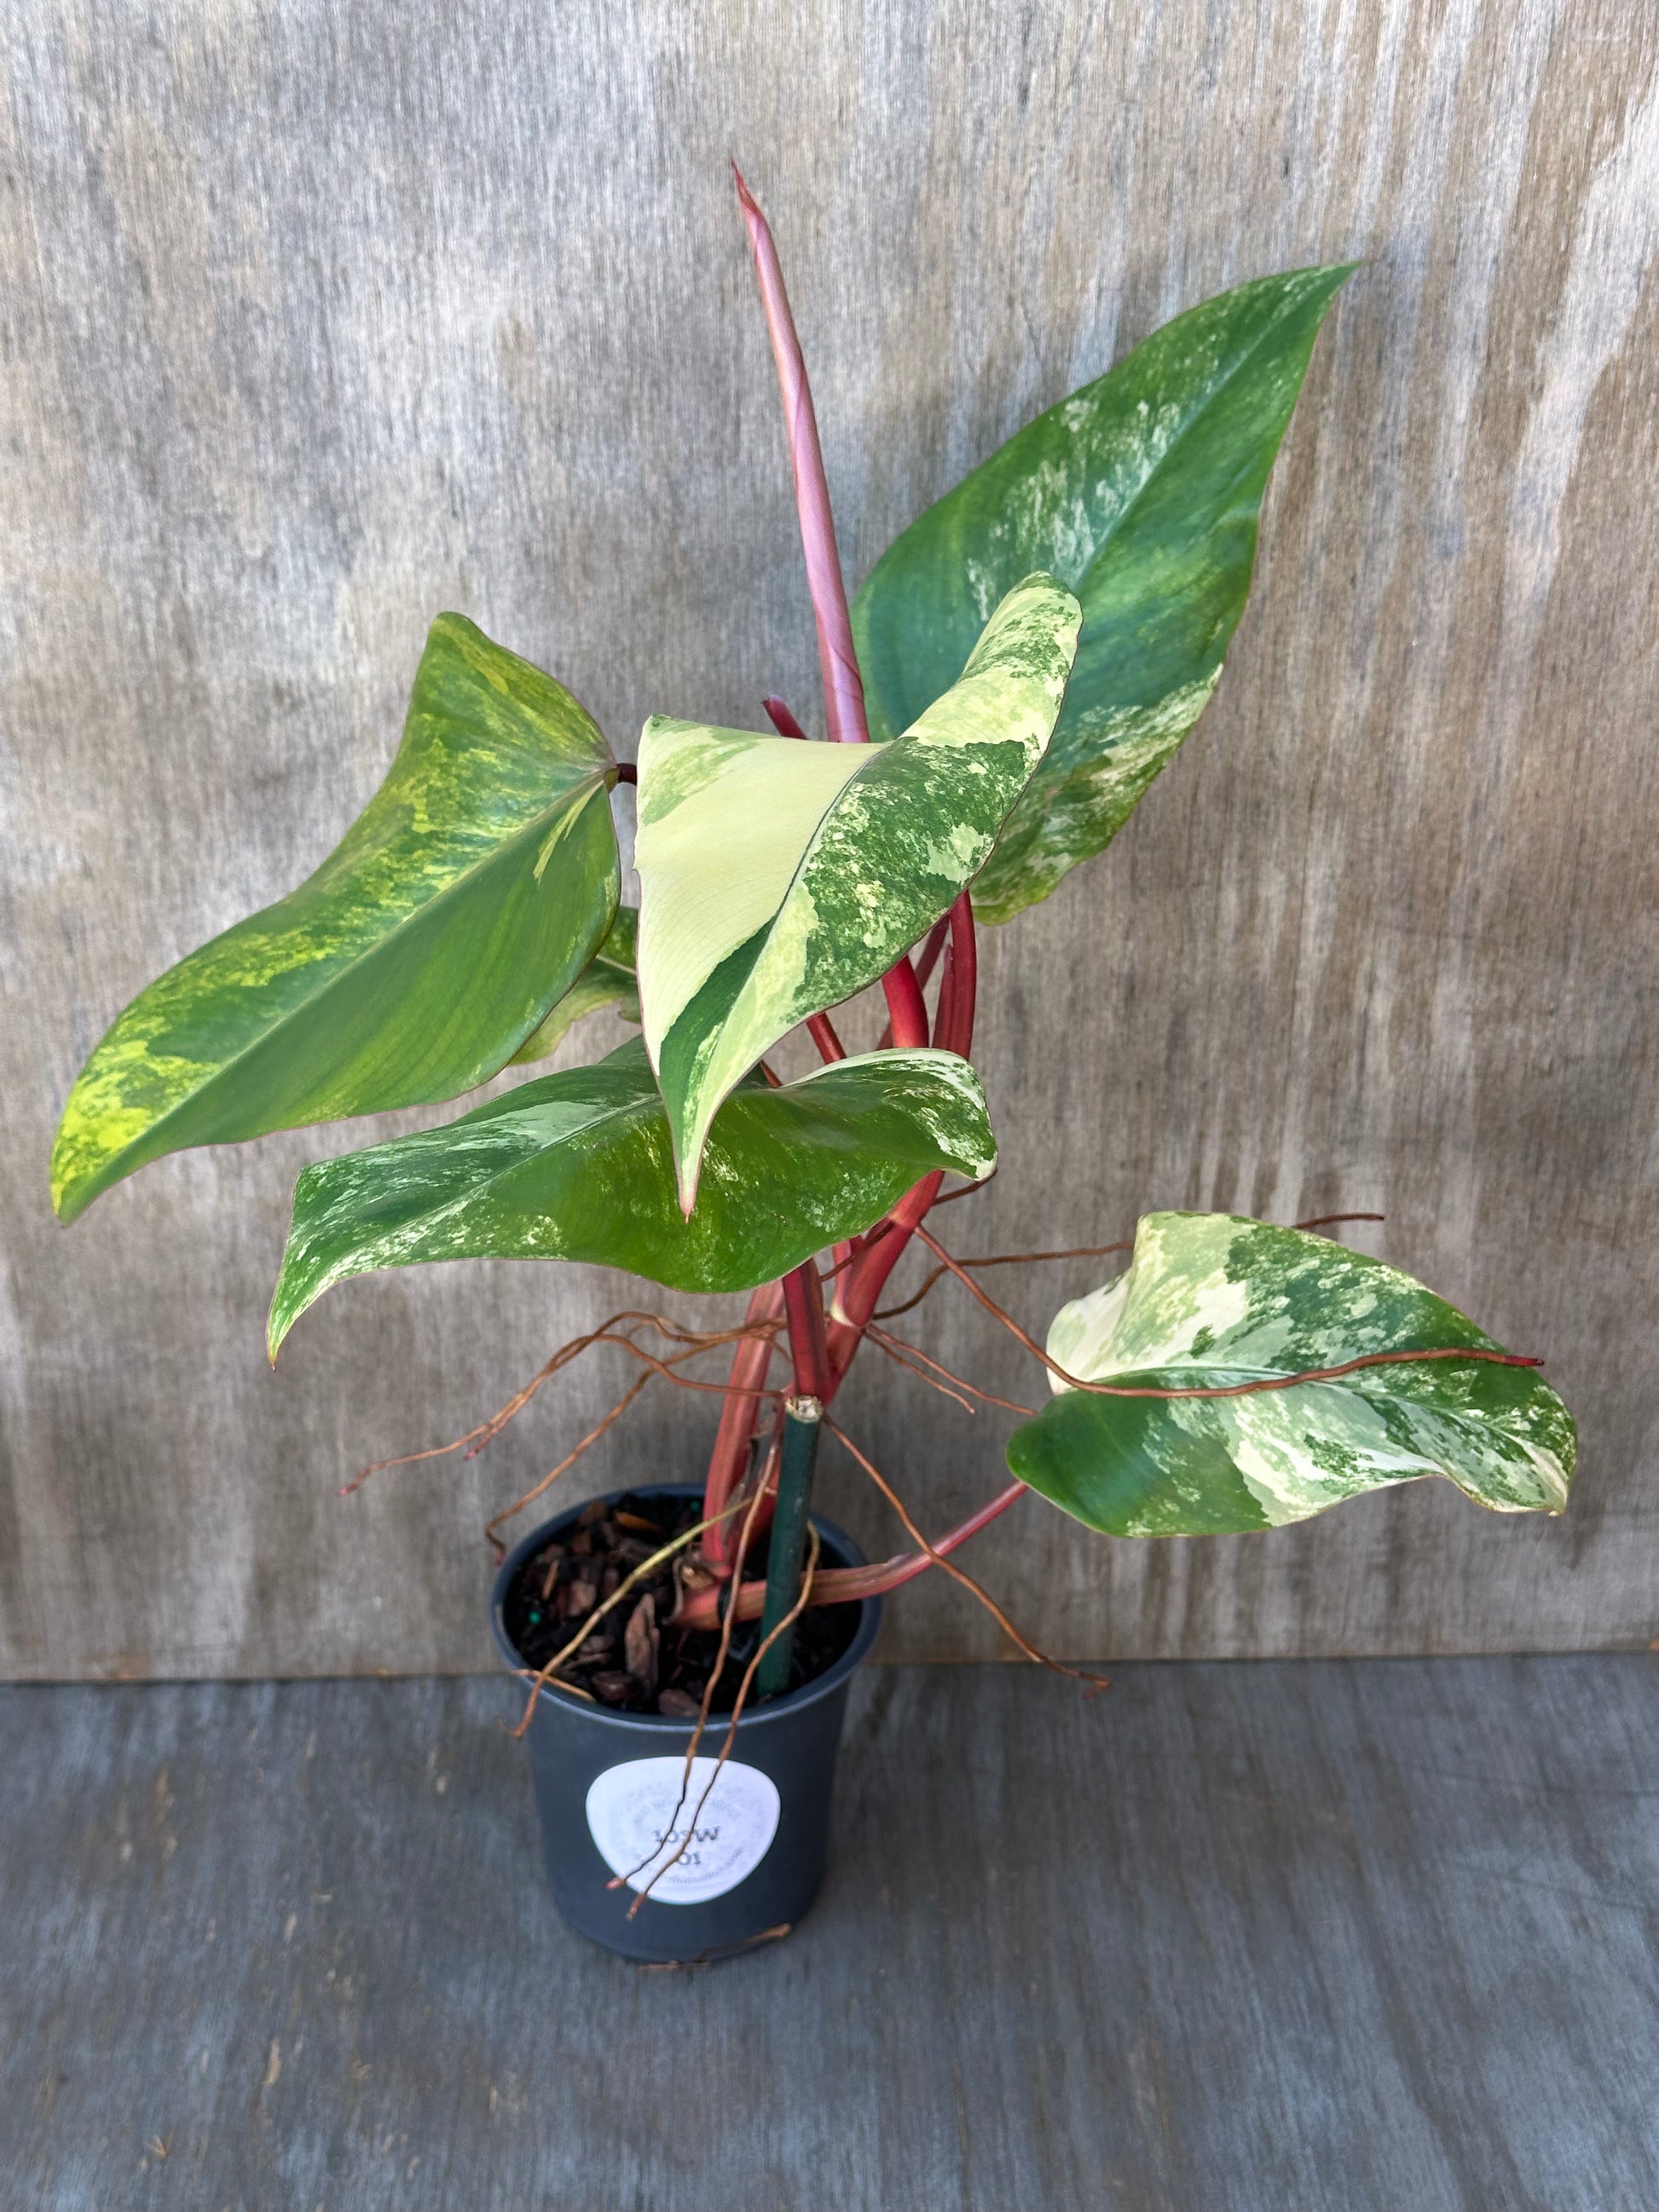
x=322, y=317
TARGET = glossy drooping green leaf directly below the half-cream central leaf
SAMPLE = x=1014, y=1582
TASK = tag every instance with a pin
x=581, y=1167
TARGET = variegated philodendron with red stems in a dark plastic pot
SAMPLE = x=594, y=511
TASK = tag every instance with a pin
x=1005, y=687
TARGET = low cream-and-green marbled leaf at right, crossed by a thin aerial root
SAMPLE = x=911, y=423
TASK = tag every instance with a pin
x=1215, y=1300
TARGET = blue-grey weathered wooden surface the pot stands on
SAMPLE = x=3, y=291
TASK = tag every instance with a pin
x=1233, y=1939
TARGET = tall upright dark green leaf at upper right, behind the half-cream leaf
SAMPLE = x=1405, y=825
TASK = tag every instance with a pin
x=1140, y=492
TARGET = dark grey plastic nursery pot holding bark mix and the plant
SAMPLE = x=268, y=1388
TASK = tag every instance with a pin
x=609, y=1784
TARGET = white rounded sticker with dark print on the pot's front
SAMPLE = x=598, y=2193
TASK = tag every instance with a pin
x=643, y=1811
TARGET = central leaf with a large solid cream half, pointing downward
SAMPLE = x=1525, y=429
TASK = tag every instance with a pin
x=782, y=877
